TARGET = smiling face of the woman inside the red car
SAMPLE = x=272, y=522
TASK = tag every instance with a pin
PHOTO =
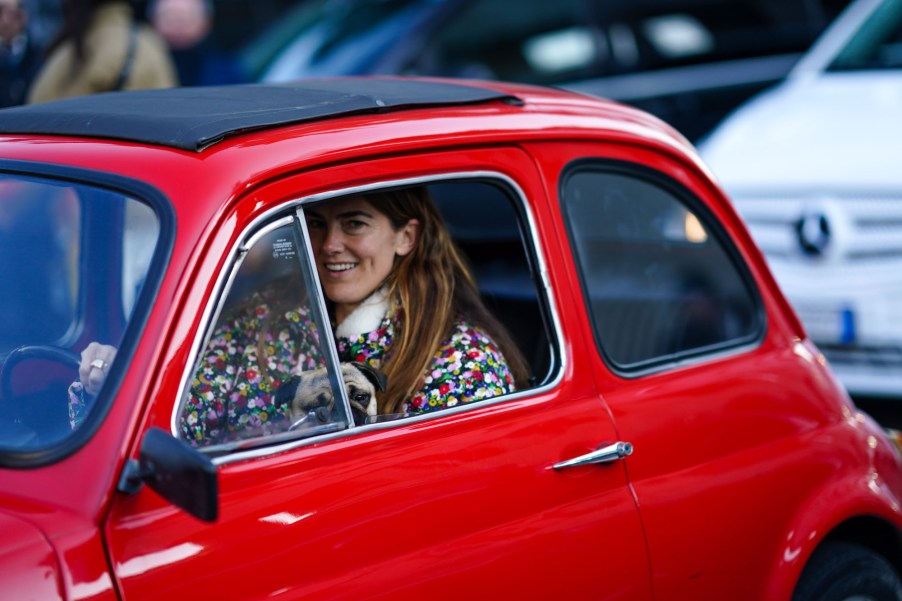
x=355, y=248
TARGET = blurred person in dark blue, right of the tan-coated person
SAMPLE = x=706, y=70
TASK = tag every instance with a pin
x=186, y=26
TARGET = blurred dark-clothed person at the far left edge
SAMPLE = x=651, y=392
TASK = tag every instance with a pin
x=19, y=56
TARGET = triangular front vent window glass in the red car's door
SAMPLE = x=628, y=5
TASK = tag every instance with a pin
x=264, y=342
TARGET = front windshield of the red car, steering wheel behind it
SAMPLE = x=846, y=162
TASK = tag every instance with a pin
x=74, y=260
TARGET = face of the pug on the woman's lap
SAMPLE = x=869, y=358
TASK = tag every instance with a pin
x=311, y=392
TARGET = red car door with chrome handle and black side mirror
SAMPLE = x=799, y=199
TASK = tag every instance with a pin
x=464, y=503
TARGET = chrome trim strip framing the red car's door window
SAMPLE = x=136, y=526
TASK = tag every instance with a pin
x=556, y=347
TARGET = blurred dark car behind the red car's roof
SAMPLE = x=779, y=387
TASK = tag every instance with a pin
x=687, y=62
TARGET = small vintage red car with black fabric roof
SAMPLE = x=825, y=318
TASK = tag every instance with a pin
x=679, y=437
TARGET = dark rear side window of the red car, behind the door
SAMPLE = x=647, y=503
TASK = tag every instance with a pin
x=660, y=280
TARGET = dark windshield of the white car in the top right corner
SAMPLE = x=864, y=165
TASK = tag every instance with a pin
x=877, y=44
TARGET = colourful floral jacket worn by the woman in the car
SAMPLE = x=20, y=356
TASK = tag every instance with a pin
x=231, y=399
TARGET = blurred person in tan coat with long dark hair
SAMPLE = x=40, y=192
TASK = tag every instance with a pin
x=102, y=48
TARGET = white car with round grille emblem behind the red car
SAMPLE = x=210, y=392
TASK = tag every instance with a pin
x=812, y=166
